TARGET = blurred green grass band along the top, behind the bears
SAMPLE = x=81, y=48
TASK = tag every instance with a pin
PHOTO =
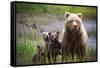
x=88, y=12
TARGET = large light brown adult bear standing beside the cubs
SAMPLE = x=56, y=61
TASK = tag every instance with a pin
x=74, y=38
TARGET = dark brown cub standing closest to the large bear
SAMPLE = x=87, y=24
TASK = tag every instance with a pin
x=54, y=48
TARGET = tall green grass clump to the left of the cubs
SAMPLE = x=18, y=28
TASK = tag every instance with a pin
x=26, y=48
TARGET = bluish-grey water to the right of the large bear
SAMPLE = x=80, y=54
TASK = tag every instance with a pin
x=90, y=26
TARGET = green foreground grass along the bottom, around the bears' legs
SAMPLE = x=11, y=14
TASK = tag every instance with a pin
x=26, y=49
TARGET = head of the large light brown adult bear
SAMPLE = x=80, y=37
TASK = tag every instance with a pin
x=73, y=21
